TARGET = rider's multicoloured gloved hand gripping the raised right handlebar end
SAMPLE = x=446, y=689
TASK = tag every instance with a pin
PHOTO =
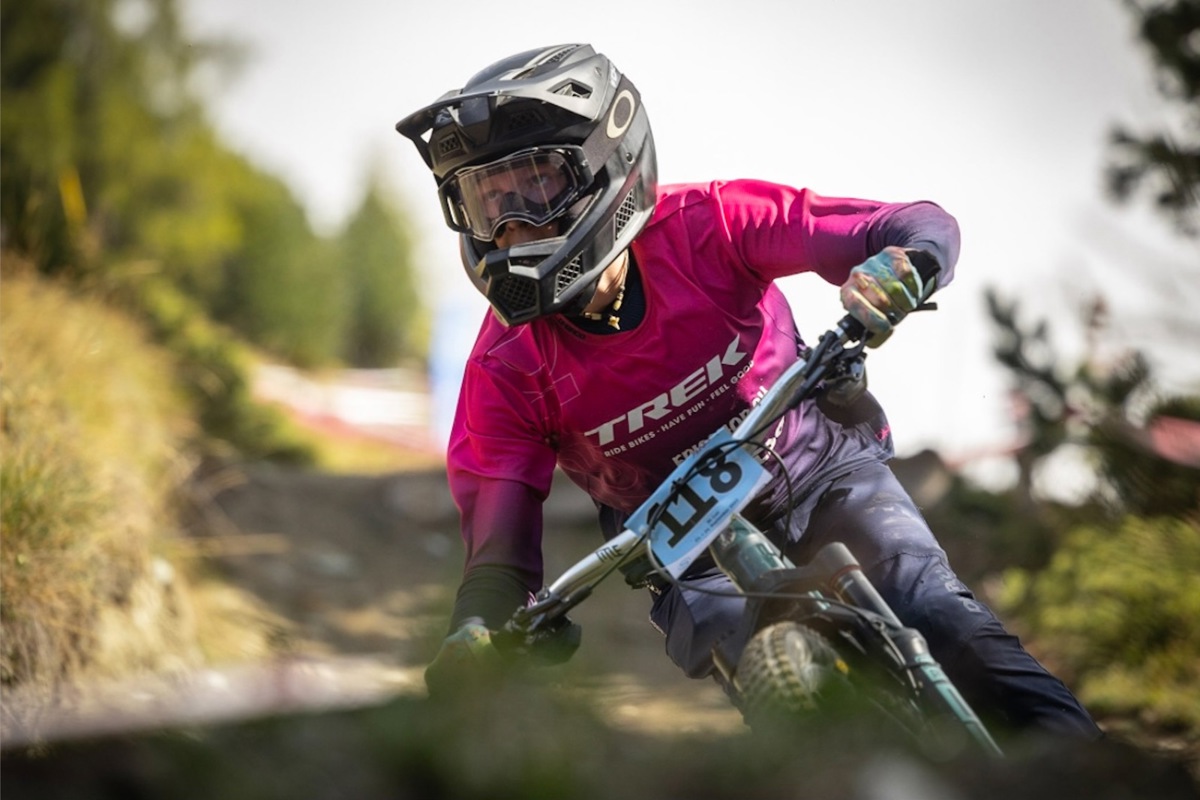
x=881, y=292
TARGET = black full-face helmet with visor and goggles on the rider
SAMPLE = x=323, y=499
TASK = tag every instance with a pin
x=561, y=118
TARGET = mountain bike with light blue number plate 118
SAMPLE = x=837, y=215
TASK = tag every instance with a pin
x=819, y=629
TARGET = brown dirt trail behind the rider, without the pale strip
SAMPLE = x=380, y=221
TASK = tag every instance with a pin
x=365, y=568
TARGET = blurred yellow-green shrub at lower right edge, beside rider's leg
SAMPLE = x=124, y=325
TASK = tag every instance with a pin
x=1119, y=610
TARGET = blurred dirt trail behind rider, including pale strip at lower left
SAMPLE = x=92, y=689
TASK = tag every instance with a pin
x=356, y=578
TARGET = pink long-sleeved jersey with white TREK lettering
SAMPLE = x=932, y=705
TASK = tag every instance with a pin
x=619, y=412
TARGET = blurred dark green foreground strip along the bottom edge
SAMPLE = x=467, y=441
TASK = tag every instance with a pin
x=530, y=742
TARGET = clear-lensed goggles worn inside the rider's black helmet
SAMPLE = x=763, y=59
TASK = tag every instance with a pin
x=533, y=187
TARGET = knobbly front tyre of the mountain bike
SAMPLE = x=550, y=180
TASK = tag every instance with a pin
x=787, y=672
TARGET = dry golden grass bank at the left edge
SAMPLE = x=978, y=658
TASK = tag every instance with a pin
x=95, y=432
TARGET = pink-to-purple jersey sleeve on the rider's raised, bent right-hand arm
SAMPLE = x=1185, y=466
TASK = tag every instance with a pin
x=778, y=231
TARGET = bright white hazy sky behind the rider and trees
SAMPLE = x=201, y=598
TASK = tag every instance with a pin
x=999, y=112
